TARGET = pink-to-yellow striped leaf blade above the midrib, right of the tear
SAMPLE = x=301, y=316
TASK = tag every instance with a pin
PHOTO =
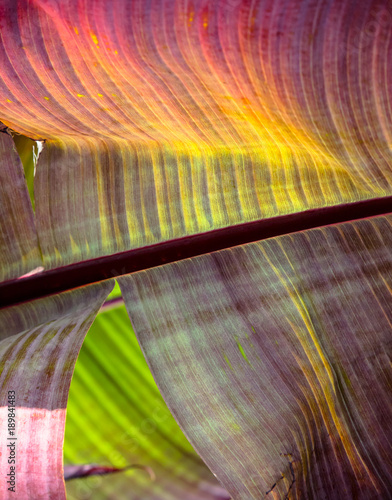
x=164, y=119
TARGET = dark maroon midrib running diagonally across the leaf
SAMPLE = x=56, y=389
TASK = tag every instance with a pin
x=99, y=269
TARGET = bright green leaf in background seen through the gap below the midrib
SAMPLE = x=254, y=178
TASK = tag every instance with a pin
x=120, y=418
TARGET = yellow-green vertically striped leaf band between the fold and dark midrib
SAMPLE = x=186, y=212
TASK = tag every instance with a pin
x=97, y=197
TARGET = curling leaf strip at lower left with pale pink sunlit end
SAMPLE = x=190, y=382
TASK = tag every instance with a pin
x=39, y=344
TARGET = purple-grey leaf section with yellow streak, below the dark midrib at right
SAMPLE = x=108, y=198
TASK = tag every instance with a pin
x=274, y=357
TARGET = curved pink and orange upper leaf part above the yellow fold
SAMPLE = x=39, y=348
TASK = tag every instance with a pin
x=159, y=75
